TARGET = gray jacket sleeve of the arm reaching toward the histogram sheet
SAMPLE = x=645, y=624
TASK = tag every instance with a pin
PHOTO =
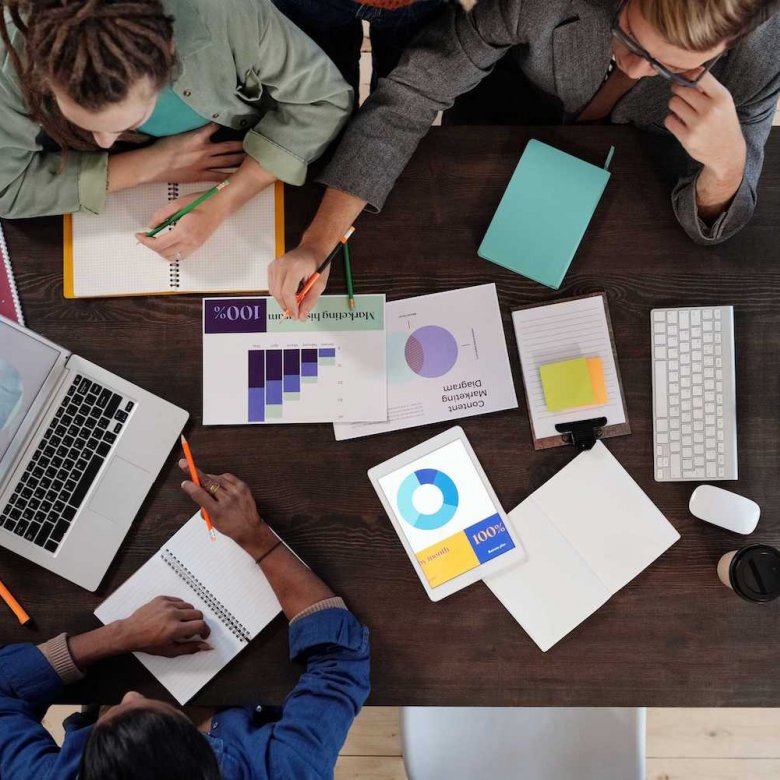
x=447, y=59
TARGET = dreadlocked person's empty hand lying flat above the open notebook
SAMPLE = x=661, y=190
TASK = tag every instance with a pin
x=191, y=157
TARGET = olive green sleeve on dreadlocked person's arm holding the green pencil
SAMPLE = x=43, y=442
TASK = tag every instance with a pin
x=309, y=100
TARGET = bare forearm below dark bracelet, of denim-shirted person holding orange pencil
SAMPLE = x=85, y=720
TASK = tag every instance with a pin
x=294, y=584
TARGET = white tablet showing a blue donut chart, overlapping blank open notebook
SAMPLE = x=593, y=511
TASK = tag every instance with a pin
x=446, y=514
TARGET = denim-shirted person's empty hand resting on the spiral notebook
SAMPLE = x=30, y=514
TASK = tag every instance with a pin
x=165, y=626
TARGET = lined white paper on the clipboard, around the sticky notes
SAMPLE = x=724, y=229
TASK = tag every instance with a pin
x=562, y=331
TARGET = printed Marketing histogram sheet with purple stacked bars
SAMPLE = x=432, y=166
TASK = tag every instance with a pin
x=259, y=368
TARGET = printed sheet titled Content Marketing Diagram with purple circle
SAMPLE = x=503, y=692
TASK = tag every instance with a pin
x=446, y=359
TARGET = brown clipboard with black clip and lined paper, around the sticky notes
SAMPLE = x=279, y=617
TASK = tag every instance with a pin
x=579, y=327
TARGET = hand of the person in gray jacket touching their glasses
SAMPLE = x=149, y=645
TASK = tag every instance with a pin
x=704, y=120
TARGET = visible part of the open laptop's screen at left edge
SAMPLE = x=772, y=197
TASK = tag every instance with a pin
x=24, y=365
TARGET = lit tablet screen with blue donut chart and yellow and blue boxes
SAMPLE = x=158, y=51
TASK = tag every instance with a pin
x=446, y=514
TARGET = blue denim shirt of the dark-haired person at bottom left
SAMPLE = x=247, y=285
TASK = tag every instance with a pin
x=304, y=741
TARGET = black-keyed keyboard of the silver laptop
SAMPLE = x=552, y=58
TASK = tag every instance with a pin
x=79, y=438
